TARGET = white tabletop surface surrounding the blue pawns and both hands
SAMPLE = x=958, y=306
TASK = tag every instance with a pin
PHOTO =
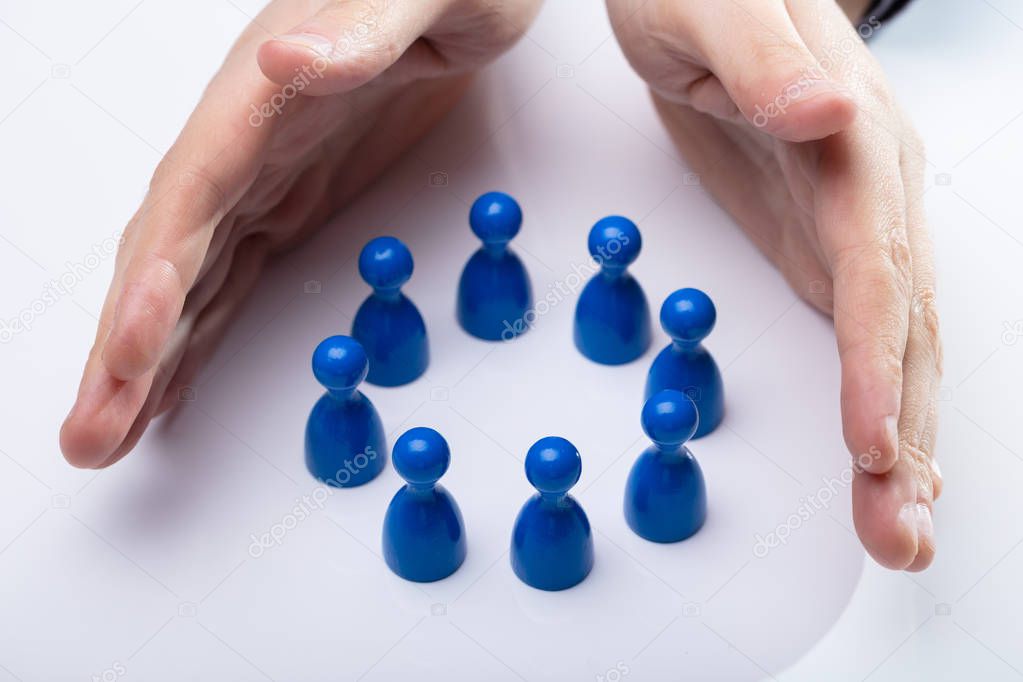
x=145, y=570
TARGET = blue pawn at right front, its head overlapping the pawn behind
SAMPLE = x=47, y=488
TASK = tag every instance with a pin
x=665, y=494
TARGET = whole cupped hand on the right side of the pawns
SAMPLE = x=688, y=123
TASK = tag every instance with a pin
x=791, y=125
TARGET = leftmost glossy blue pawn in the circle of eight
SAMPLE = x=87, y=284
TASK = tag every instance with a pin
x=345, y=443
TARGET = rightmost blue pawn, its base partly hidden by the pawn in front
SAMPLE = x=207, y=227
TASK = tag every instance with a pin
x=688, y=316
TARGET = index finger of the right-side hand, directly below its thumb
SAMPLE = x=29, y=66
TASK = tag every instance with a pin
x=862, y=222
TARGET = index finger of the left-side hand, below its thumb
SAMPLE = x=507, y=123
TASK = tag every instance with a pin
x=202, y=177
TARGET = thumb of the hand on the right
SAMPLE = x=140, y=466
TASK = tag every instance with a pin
x=767, y=69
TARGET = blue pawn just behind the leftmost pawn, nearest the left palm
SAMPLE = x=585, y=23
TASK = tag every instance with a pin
x=388, y=325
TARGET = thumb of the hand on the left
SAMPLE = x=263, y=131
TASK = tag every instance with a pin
x=345, y=46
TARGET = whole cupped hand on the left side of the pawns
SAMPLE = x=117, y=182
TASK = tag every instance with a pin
x=312, y=104
